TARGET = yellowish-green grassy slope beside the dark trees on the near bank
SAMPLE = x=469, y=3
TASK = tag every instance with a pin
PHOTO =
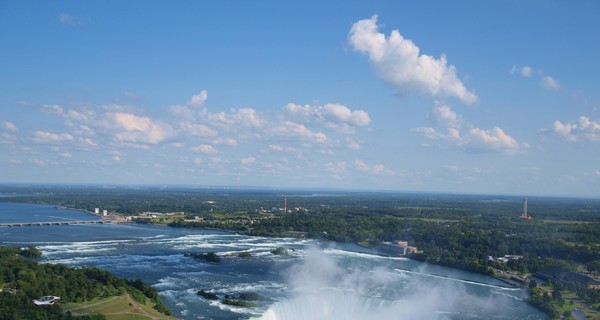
x=116, y=308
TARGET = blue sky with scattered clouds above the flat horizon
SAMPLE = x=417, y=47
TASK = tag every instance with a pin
x=495, y=97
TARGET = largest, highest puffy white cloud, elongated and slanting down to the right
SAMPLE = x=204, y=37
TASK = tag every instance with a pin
x=398, y=61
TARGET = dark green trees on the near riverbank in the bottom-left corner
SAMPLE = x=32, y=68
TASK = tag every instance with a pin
x=23, y=279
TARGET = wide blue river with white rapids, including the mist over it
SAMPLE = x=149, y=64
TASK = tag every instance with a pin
x=315, y=281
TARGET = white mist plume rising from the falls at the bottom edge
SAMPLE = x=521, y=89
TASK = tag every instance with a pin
x=320, y=289
